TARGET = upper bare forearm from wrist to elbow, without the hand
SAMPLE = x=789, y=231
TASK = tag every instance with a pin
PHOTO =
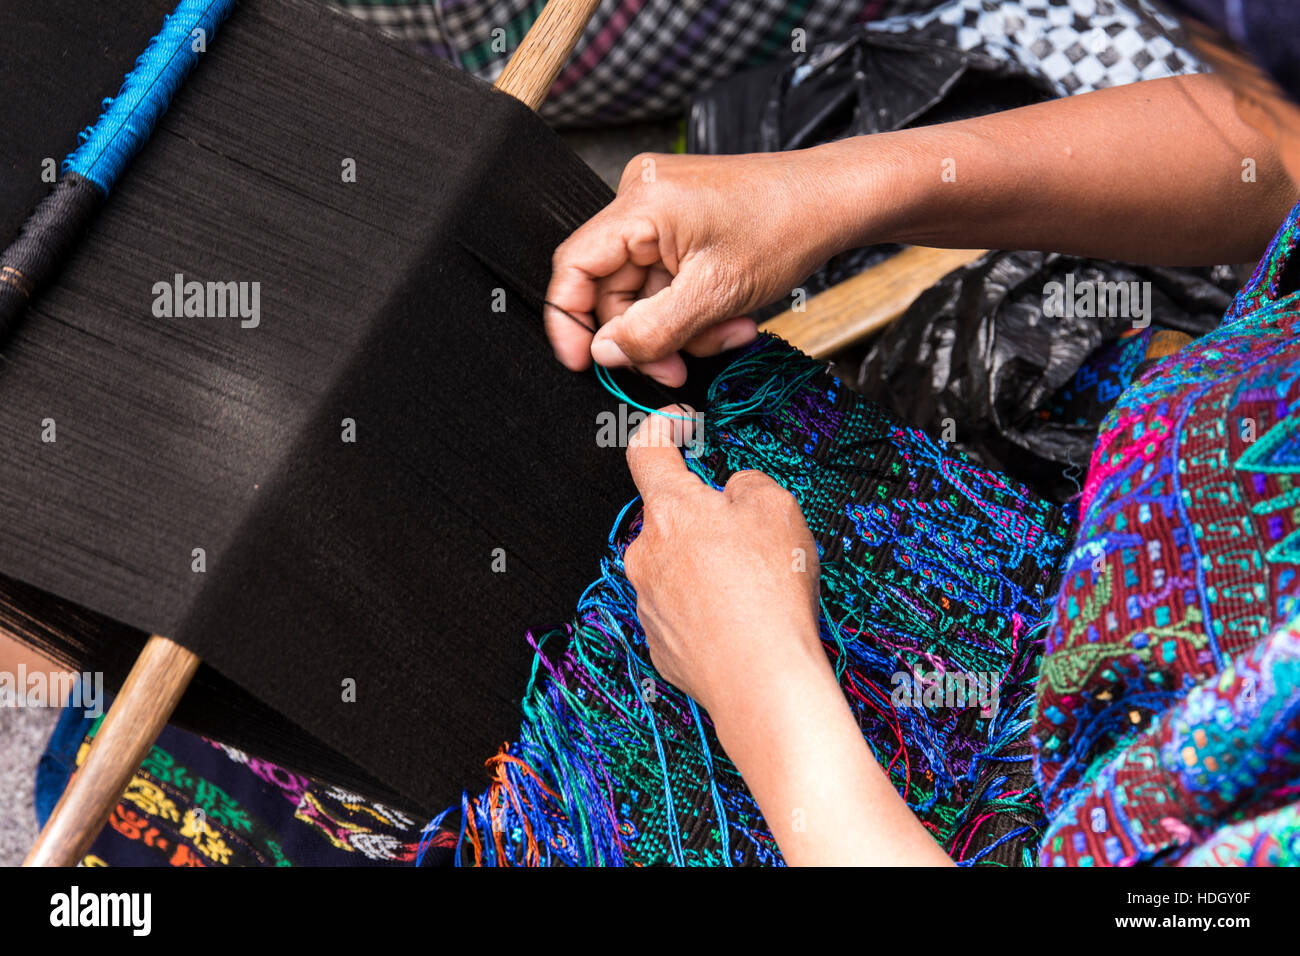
x=1147, y=174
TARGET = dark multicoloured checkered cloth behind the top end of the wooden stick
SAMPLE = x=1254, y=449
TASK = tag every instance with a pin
x=638, y=59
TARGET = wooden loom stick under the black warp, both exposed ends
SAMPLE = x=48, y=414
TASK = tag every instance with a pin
x=164, y=669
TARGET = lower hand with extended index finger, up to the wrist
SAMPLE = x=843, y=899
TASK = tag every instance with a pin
x=727, y=582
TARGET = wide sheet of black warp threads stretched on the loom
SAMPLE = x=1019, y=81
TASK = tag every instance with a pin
x=326, y=561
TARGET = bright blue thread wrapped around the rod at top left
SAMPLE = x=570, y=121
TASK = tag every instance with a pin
x=128, y=119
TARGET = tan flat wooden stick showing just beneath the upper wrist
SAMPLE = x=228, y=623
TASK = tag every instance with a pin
x=852, y=310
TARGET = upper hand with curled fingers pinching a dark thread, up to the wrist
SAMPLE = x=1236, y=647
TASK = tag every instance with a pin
x=690, y=245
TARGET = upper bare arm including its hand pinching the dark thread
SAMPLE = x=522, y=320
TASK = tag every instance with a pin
x=1149, y=174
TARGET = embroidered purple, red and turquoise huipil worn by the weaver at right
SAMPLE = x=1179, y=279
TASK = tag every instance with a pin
x=1168, y=724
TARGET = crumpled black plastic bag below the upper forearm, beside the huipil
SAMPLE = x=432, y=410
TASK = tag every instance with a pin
x=978, y=360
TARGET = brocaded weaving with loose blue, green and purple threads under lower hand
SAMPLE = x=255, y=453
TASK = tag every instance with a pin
x=935, y=576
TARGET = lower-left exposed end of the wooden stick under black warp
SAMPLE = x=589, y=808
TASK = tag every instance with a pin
x=133, y=724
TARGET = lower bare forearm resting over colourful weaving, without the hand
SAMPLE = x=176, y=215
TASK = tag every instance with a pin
x=818, y=785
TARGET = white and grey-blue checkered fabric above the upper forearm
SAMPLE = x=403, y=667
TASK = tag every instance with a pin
x=1076, y=46
